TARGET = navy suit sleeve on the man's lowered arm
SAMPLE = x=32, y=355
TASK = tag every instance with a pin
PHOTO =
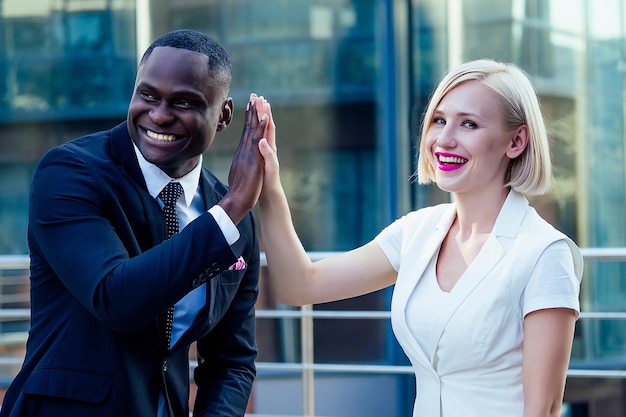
x=226, y=368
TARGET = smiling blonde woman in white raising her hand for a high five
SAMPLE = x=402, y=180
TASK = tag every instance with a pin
x=486, y=291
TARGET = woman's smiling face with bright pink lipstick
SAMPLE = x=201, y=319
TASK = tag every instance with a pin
x=470, y=147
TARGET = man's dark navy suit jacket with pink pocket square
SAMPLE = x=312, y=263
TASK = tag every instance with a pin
x=101, y=275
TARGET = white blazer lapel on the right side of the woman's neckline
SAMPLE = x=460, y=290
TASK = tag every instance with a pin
x=506, y=226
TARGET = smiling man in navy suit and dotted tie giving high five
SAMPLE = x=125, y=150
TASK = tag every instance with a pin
x=104, y=273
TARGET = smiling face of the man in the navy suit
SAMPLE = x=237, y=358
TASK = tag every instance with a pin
x=176, y=109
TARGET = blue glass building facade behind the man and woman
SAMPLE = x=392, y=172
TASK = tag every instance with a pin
x=348, y=81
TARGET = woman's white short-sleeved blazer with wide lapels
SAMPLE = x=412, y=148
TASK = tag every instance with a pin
x=476, y=341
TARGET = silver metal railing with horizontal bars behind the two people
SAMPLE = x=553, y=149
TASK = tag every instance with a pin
x=306, y=314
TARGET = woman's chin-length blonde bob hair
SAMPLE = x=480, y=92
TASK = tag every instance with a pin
x=531, y=172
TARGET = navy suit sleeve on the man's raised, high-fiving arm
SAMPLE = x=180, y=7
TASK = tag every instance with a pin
x=81, y=231
